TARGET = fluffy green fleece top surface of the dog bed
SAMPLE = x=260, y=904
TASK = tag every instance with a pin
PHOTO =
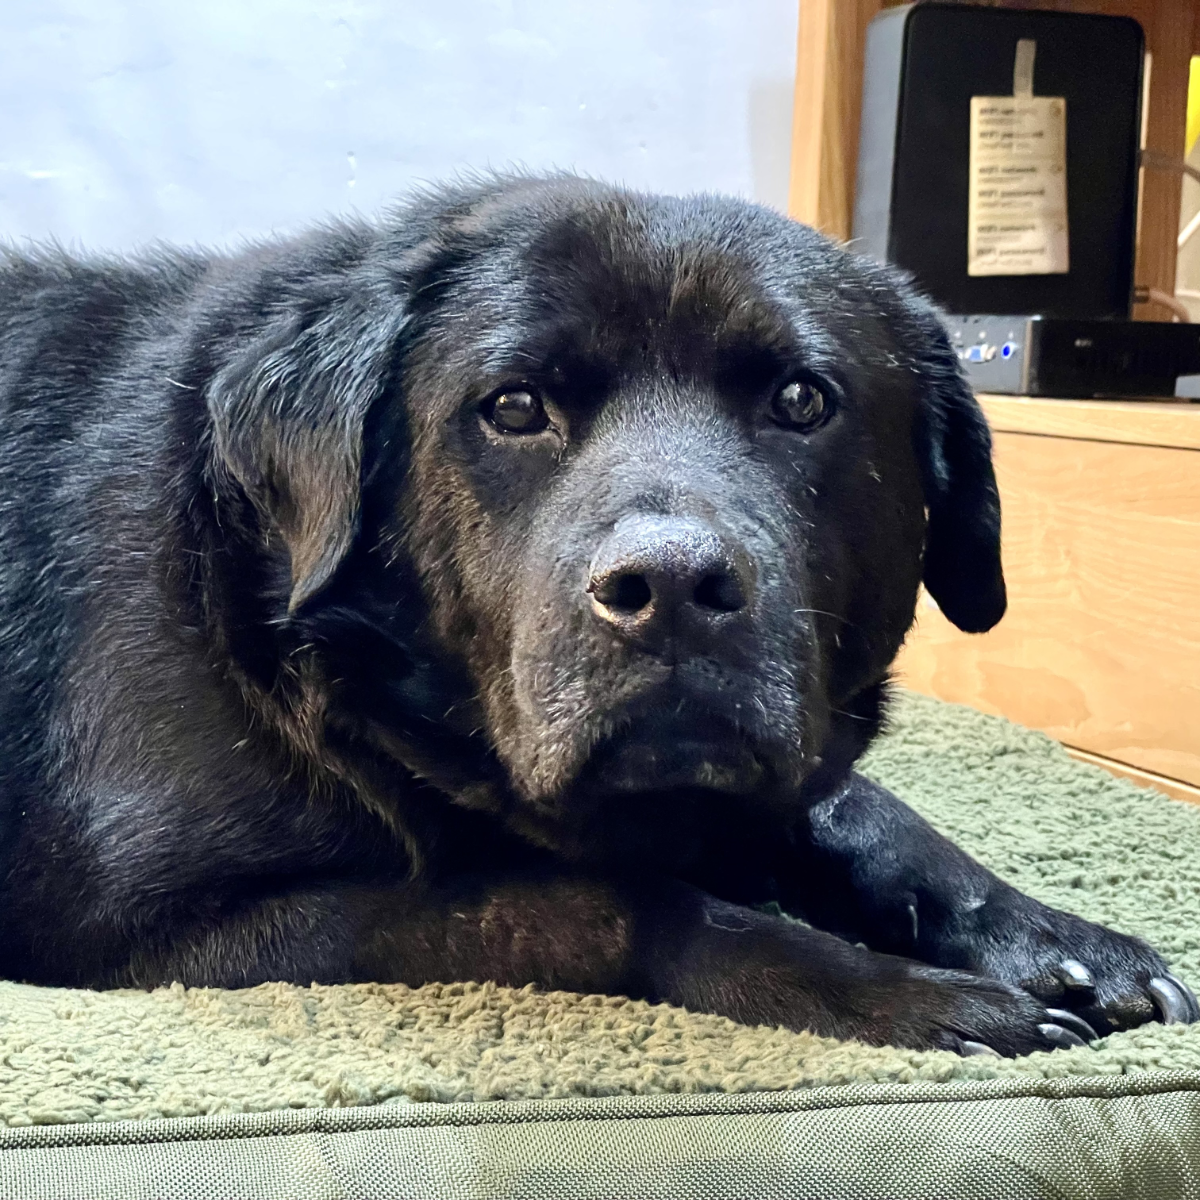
x=1067, y=833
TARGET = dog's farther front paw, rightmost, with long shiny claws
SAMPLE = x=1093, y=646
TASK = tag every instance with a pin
x=1108, y=980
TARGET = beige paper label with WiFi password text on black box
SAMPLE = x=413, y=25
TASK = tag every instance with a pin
x=1018, y=200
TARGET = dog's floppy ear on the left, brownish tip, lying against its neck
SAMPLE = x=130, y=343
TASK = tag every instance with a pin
x=289, y=416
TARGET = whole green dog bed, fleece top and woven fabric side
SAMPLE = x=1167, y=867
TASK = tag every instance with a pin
x=469, y=1090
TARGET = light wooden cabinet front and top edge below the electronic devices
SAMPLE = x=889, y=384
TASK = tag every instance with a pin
x=1101, y=646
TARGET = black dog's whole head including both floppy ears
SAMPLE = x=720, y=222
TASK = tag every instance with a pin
x=634, y=493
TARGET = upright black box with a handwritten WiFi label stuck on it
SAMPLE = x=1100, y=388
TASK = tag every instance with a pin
x=919, y=184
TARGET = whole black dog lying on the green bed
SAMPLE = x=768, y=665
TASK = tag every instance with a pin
x=505, y=592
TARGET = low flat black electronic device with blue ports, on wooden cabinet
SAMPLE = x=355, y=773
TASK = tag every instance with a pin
x=1076, y=359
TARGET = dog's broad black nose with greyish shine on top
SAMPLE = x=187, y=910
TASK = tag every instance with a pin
x=659, y=575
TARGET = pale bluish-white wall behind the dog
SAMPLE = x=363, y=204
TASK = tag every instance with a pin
x=123, y=122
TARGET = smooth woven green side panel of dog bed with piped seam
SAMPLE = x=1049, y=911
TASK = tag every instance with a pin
x=1123, y=1138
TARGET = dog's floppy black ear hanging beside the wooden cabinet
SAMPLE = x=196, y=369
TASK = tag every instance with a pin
x=963, y=568
